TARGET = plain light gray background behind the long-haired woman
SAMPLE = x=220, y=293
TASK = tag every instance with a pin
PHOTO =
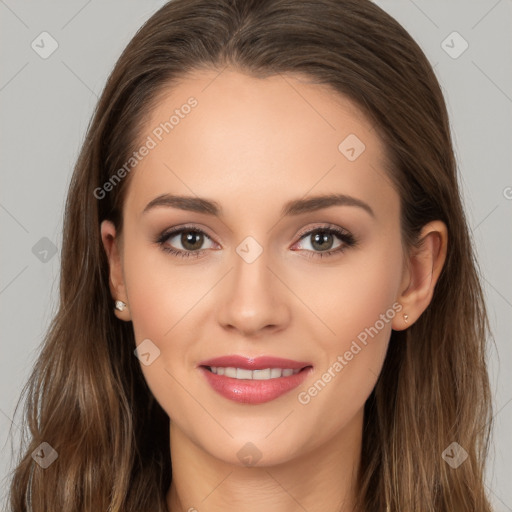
x=46, y=105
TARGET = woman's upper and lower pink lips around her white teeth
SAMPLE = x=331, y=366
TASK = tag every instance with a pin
x=254, y=391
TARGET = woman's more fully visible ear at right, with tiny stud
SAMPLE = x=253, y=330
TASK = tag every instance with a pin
x=423, y=267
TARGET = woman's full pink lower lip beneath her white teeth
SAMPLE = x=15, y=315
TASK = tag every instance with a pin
x=254, y=391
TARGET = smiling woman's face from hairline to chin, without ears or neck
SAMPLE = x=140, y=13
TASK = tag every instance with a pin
x=272, y=273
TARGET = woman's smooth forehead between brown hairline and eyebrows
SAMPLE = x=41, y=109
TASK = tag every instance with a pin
x=239, y=139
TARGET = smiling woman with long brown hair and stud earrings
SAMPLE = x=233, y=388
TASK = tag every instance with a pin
x=268, y=292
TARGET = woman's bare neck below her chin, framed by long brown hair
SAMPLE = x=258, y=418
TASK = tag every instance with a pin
x=324, y=479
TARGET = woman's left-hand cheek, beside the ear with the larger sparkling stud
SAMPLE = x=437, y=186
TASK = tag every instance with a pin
x=161, y=296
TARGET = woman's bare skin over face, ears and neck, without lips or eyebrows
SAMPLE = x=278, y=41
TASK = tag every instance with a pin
x=252, y=145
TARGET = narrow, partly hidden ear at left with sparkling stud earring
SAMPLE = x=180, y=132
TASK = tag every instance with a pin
x=112, y=246
